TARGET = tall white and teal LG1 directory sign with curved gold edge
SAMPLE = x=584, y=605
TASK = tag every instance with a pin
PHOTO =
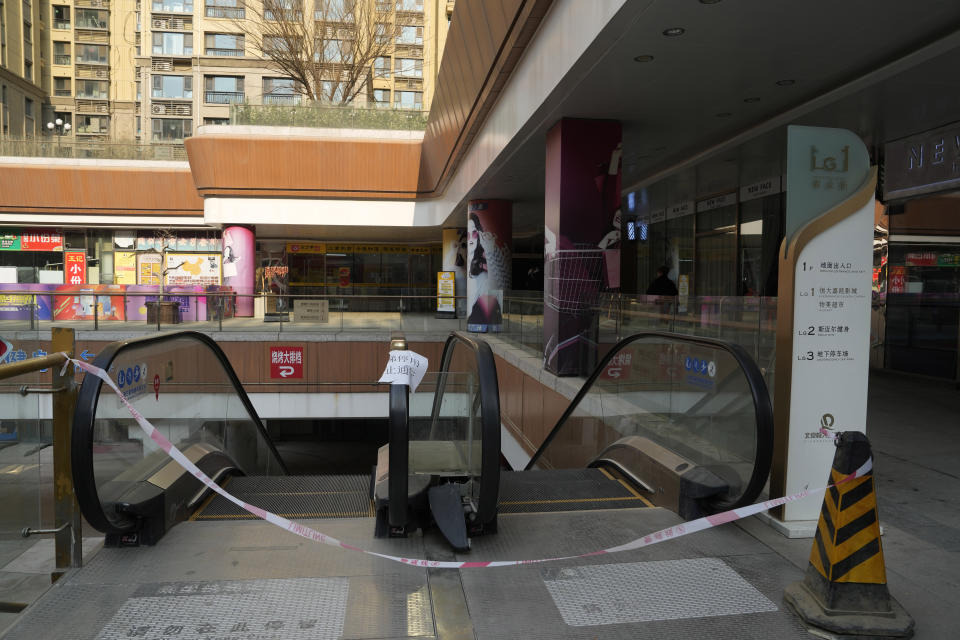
x=823, y=311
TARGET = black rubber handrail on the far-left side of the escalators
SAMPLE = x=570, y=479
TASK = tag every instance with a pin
x=81, y=442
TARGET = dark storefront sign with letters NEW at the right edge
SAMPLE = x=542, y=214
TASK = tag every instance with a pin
x=925, y=163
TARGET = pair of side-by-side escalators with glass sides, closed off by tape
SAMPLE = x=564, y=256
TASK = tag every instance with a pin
x=686, y=425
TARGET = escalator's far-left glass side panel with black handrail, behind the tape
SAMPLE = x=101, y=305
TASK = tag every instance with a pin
x=183, y=384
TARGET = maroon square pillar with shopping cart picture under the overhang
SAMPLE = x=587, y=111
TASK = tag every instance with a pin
x=581, y=225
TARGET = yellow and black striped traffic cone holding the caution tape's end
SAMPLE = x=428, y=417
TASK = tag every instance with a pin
x=845, y=590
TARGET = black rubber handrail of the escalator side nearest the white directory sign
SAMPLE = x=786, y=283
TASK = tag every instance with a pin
x=758, y=388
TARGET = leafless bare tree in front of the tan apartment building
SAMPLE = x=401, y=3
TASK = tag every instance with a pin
x=327, y=47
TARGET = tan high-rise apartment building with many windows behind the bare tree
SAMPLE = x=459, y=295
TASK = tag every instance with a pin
x=152, y=71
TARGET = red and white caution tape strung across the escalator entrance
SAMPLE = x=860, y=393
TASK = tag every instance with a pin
x=304, y=531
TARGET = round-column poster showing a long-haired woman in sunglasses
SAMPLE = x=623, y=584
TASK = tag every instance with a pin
x=489, y=249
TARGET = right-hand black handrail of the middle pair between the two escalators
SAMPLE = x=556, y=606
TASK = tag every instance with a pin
x=490, y=417
